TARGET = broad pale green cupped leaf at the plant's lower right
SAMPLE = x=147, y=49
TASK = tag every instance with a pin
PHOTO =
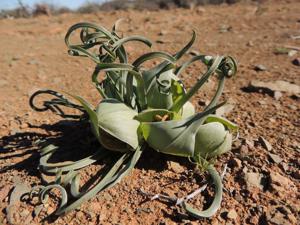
x=187, y=137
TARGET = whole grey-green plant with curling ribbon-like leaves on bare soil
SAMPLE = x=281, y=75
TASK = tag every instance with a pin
x=140, y=108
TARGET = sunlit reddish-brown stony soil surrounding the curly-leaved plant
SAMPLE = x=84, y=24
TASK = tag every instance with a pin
x=261, y=185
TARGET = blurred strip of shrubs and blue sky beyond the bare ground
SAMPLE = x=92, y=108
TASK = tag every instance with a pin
x=27, y=8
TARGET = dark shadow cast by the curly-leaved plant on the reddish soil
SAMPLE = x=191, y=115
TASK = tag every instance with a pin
x=20, y=152
